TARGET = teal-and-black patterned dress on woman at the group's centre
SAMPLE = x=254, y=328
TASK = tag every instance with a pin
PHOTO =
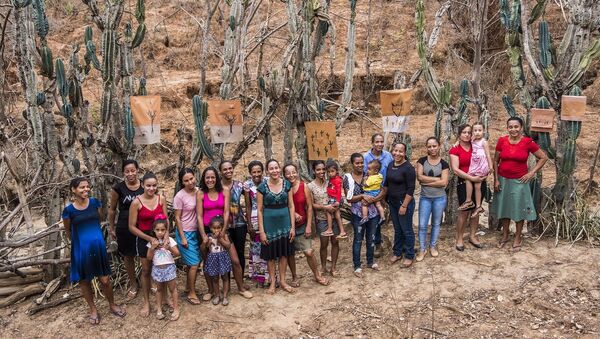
x=276, y=222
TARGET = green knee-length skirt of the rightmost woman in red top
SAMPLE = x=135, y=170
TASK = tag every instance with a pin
x=514, y=201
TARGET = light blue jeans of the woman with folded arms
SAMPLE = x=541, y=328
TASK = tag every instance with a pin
x=434, y=208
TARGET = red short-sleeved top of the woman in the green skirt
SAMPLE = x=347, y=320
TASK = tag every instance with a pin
x=513, y=158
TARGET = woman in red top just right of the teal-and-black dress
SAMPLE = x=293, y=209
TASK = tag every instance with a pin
x=303, y=212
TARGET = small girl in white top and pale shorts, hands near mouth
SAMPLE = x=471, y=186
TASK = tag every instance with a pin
x=161, y=253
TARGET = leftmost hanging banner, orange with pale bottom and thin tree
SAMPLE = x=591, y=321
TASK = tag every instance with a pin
x=145, y=111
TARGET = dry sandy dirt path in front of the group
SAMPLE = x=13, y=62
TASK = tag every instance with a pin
x=542, y=291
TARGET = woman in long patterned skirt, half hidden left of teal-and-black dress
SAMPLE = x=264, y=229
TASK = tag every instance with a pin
x=256, y=266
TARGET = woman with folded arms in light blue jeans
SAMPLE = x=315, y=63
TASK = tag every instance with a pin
x=432, y=173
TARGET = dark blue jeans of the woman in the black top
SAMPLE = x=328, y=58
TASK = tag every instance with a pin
x=404, y=236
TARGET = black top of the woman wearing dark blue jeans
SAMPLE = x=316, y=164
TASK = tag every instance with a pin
x=400, y=181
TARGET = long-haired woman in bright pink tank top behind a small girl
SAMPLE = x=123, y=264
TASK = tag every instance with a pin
x=213, y=200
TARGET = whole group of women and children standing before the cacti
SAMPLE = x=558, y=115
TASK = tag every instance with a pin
x=282, y=213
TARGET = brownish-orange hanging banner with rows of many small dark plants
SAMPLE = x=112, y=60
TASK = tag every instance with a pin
x=321, y=140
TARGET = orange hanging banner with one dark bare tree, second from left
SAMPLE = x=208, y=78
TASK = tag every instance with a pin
x=225, y=120
